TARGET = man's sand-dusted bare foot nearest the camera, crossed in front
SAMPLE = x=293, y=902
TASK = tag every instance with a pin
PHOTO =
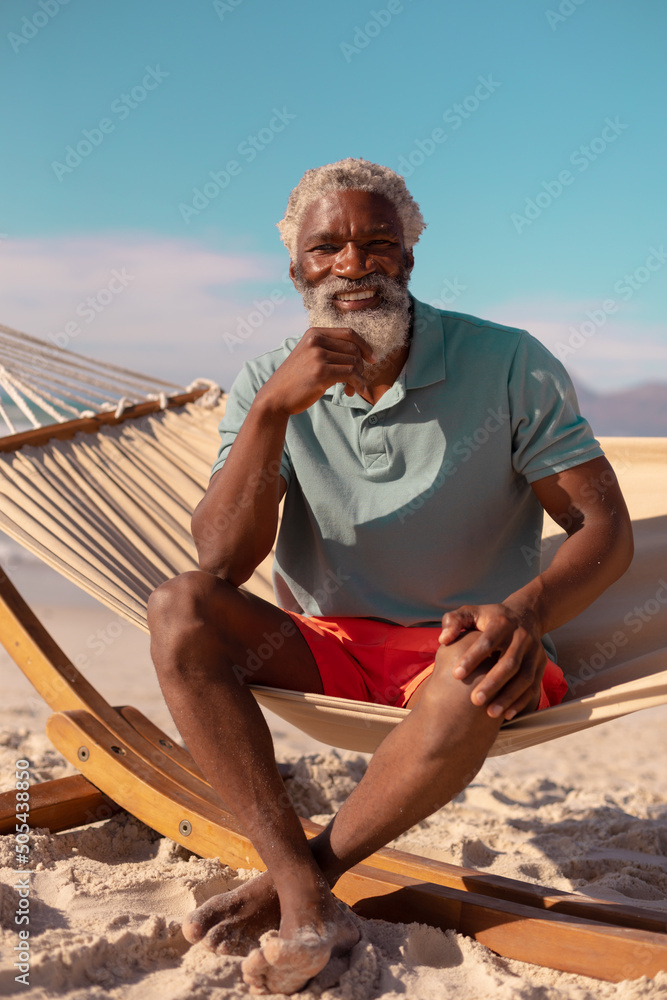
x=286, y=961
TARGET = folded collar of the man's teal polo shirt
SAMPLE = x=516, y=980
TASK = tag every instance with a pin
x=426, y=360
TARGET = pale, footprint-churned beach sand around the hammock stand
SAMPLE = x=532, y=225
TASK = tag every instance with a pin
x=585, y=813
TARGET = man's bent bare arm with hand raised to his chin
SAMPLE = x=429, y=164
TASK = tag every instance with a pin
x=234, y=526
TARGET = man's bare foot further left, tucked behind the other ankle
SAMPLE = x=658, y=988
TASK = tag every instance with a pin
x=230, y=922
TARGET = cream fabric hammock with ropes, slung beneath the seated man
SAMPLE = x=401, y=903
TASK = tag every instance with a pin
x=107, y=501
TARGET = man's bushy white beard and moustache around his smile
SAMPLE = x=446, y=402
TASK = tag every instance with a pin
x=385, y=328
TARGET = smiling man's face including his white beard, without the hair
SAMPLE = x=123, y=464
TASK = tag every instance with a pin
x=352, y=268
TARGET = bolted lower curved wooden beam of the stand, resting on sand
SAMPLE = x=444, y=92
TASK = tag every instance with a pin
x=571, y=944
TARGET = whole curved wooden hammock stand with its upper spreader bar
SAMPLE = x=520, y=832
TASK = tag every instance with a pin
x=126, y=762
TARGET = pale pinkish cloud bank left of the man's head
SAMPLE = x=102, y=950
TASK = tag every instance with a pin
x=169, y=307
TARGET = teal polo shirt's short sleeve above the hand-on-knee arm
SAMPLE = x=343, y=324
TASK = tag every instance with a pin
x=549, y=434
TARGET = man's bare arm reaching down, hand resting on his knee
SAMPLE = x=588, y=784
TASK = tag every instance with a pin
x=588, y=503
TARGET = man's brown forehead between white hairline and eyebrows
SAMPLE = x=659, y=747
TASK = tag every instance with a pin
x=350, y=215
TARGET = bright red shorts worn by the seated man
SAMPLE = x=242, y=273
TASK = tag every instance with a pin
x=383, y=663
